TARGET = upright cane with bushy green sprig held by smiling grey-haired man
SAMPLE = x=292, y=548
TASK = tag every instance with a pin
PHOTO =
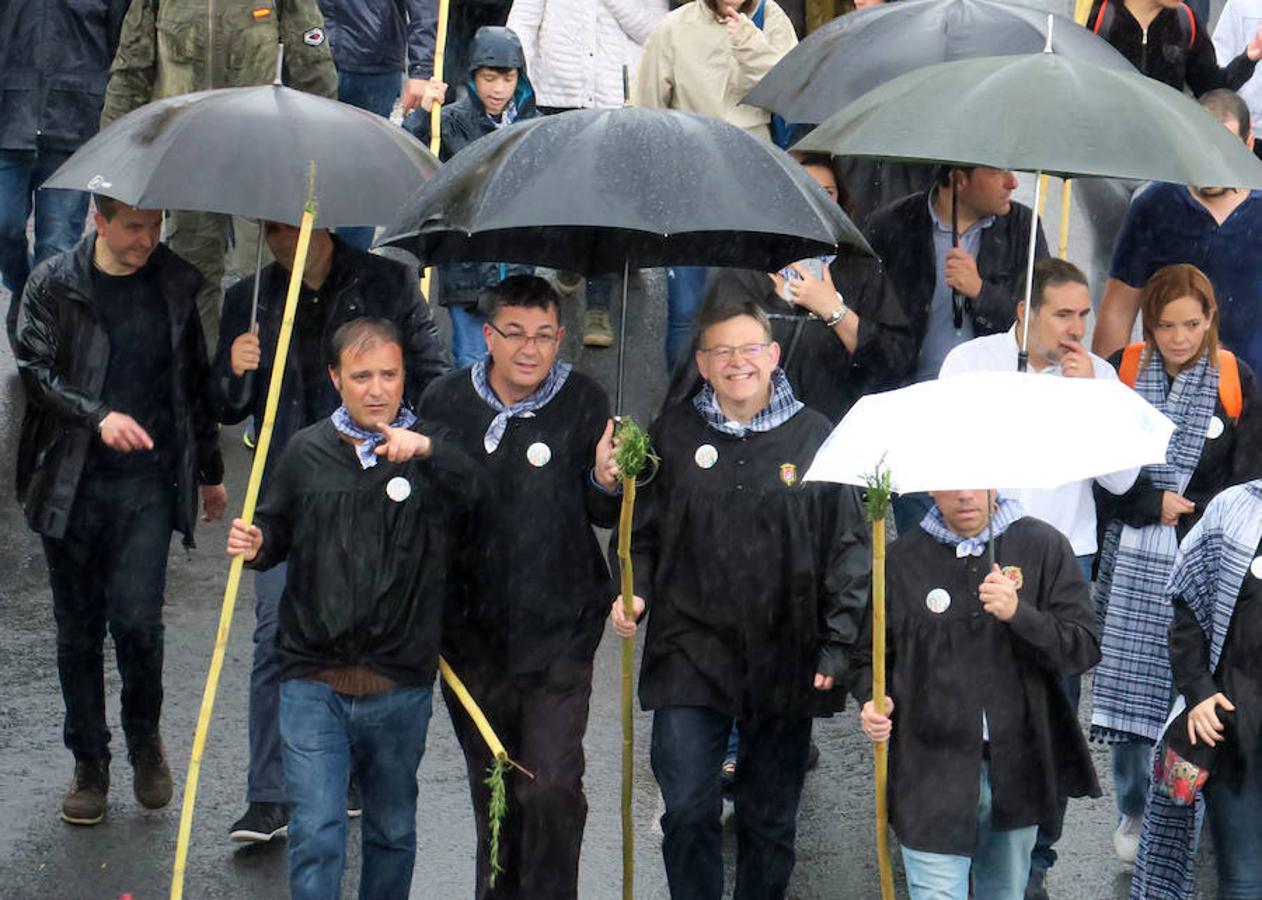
x=633, y=454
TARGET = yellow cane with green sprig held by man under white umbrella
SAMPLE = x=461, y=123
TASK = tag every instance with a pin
x=878, y=507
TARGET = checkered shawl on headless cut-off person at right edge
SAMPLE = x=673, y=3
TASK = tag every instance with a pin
x=1210, y=571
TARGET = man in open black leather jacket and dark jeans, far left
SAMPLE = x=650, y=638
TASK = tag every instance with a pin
x=118, y=441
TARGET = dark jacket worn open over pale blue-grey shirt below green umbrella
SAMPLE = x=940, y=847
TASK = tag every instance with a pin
x=902, y=234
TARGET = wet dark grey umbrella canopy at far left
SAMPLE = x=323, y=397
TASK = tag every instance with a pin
x=247, y=152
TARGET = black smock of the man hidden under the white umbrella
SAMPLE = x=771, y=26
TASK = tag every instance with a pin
x=945, y=670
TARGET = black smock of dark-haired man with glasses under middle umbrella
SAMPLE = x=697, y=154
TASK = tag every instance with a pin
x=536, y=585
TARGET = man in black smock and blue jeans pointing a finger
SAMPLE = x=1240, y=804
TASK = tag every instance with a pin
x=367, y=513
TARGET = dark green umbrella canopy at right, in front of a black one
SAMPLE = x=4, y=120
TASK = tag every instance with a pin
x=1042, y=113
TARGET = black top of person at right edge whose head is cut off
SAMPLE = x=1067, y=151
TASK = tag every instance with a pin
x=1239, y=675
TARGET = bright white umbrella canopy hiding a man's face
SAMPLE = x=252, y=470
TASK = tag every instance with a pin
x=965, y=432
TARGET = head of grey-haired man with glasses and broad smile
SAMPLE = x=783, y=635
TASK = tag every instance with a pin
x=736, y=358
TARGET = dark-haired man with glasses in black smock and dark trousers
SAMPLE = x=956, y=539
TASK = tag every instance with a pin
x=536, y=584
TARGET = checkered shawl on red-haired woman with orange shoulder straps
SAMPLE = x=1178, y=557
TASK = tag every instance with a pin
x=1133, y=685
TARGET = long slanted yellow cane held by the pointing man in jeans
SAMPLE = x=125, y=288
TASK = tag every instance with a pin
x=252, y=498
